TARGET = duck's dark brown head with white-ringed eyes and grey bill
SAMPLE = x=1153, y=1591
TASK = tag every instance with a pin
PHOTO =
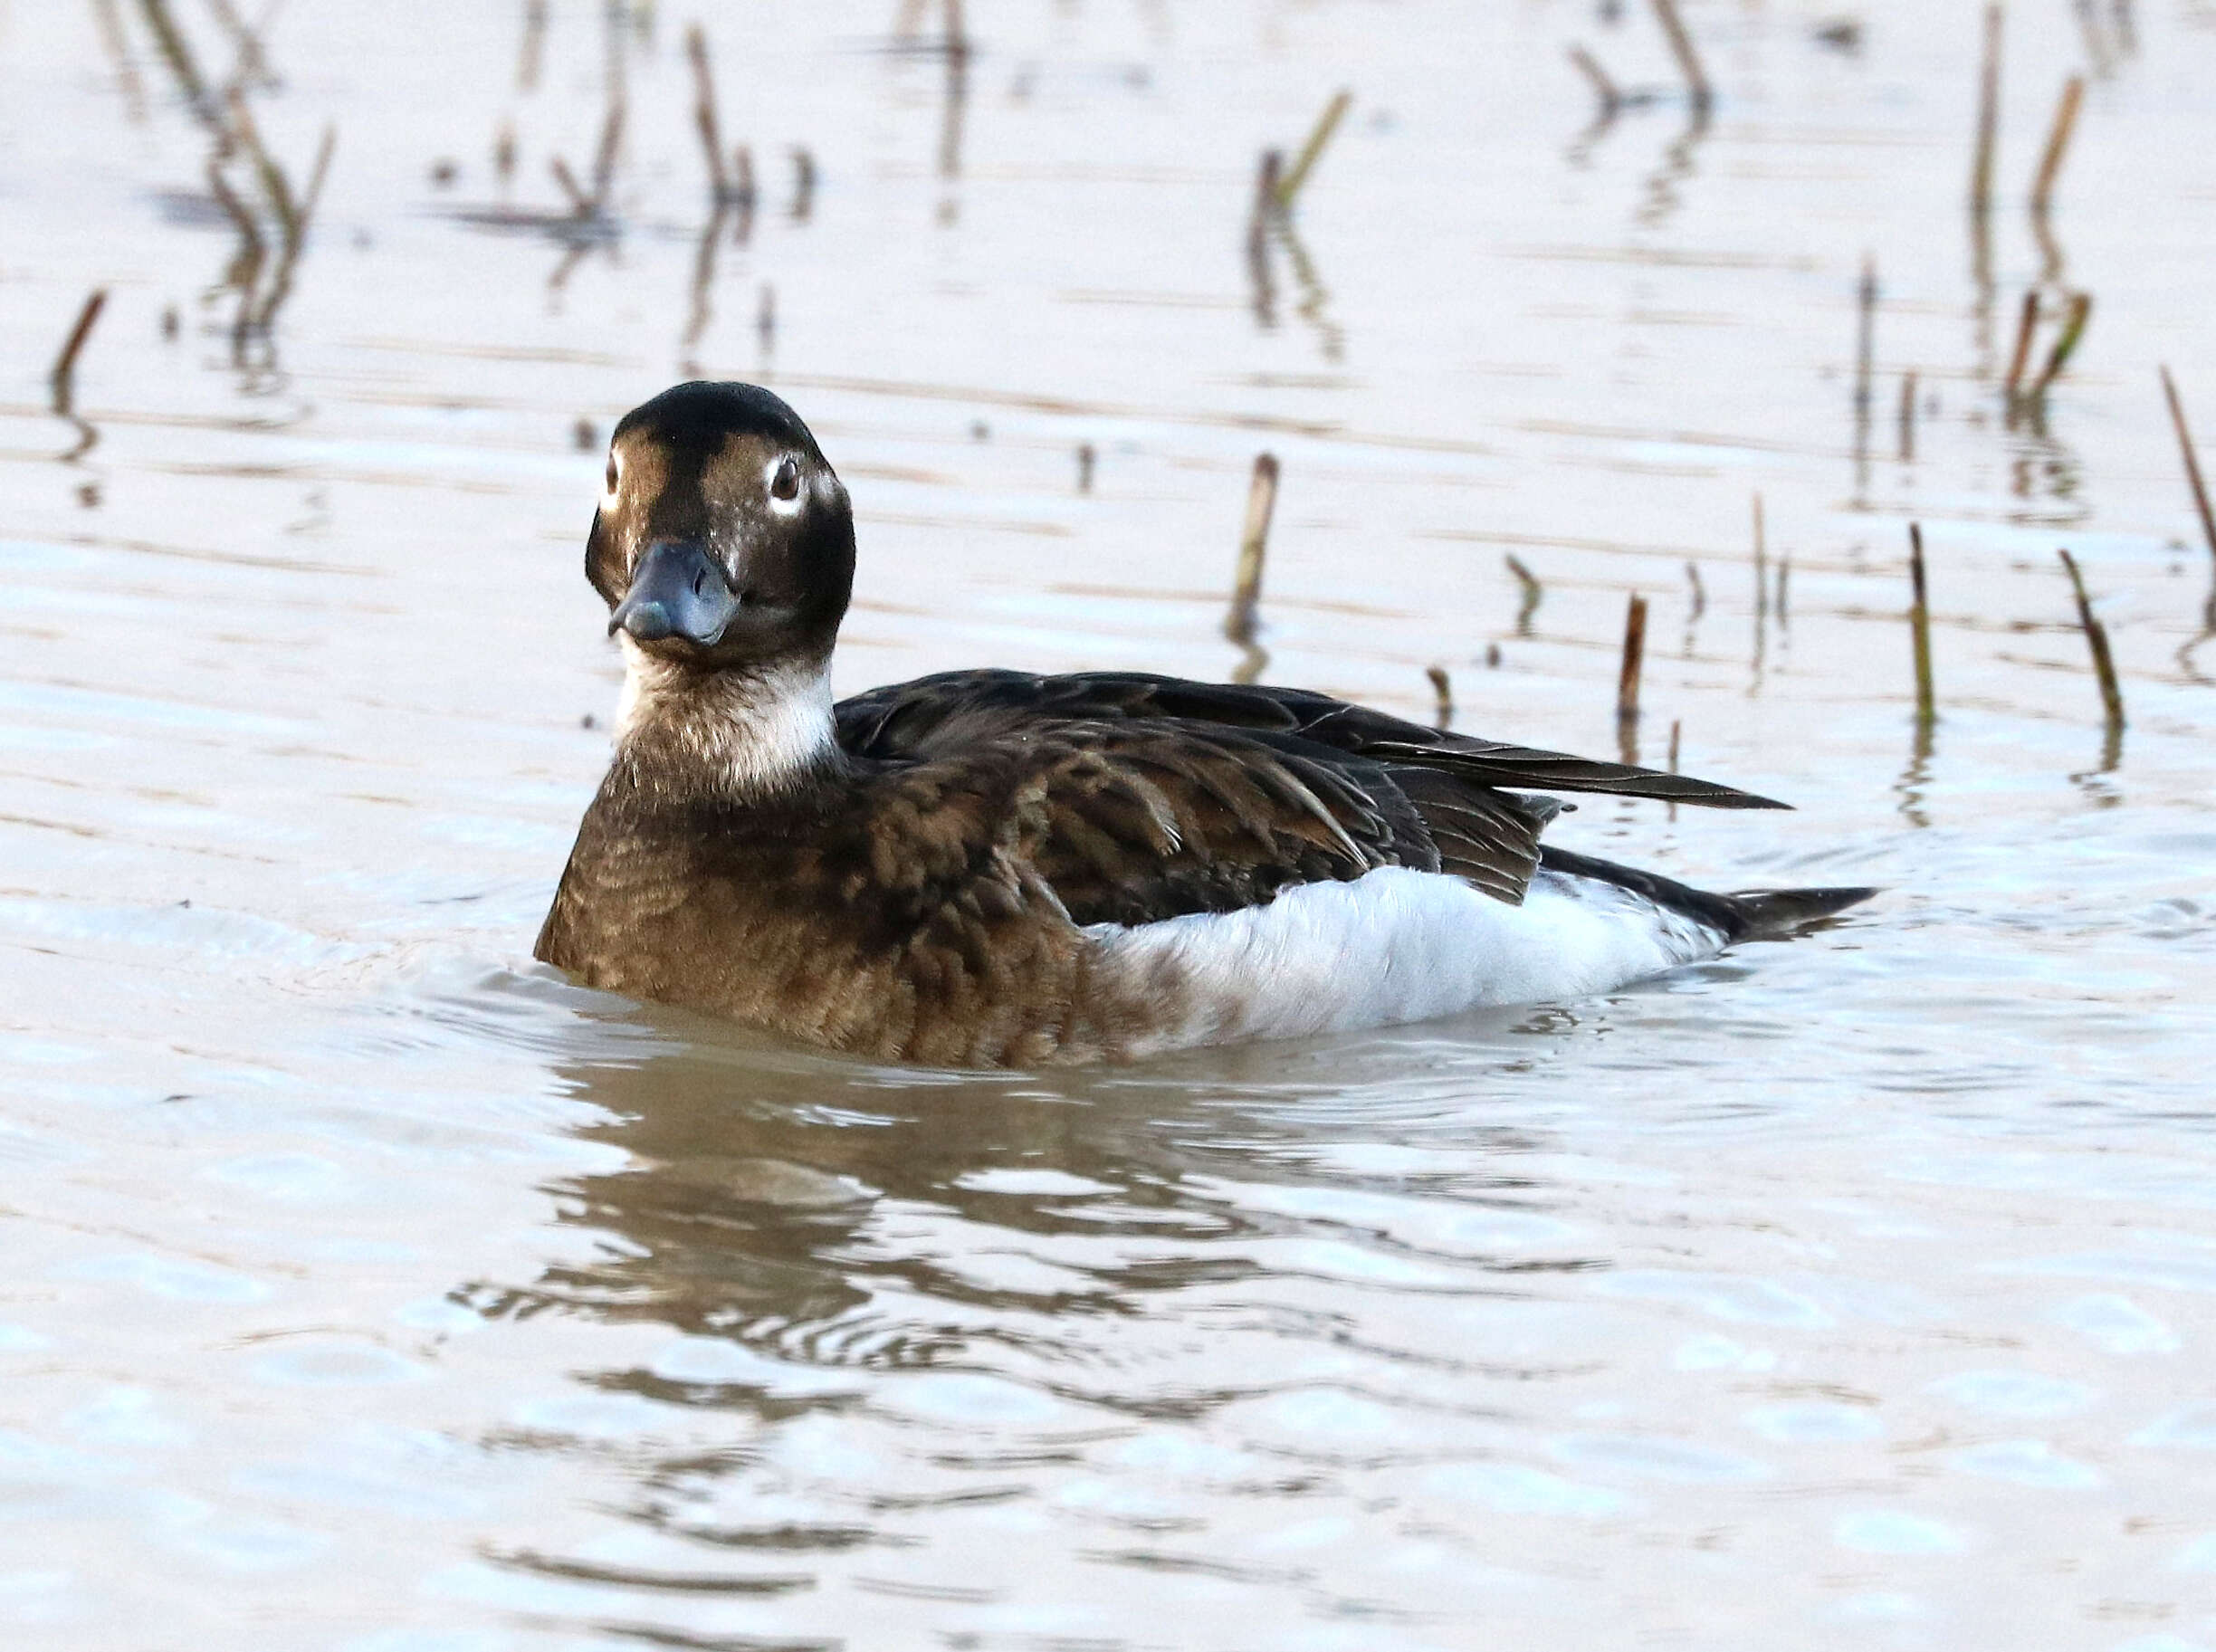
x=724, y=537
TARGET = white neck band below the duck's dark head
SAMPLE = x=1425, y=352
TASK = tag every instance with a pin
x=757, y=734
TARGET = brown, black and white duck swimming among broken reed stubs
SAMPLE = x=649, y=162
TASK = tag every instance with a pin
x=1003, y=869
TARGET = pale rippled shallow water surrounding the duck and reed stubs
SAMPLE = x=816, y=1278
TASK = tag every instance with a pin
x=369, y=1288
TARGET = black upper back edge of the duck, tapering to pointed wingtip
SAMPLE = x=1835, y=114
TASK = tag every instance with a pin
x=914, y=716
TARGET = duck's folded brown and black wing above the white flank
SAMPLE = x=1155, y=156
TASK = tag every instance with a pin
x=1145, y=798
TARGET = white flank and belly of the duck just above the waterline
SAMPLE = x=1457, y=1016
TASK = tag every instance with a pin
x=1393, y=947
